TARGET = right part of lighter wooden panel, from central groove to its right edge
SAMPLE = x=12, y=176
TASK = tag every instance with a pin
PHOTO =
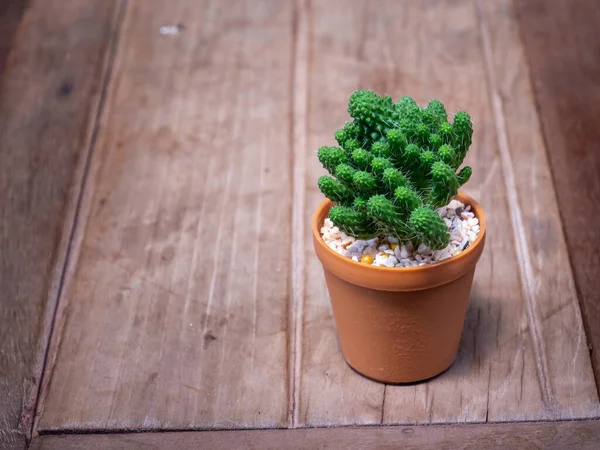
x=513, y=362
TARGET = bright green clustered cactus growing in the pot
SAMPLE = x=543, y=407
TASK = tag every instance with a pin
x=395, y=165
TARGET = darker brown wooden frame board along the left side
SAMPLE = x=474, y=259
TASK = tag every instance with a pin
x=49, y=96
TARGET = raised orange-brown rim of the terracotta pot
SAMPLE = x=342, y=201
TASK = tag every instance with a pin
x=396, y=278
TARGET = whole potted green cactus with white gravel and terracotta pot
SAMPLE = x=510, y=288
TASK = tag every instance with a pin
x=397, y=239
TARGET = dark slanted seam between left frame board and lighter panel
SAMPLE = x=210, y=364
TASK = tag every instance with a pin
x=72, y=233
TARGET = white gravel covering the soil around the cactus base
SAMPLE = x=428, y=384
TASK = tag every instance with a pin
x=387, y=251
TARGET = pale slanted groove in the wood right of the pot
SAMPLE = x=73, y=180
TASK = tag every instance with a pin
x=528, y=286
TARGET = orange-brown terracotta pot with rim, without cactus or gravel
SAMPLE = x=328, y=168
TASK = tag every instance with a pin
x=399, y=325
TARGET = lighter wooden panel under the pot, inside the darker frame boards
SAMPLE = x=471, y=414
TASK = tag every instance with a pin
x=194, y=299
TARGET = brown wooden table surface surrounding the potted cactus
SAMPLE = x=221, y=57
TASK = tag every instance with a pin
x=157, y=176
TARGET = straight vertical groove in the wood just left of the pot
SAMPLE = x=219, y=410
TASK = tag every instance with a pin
x=299, y=90
